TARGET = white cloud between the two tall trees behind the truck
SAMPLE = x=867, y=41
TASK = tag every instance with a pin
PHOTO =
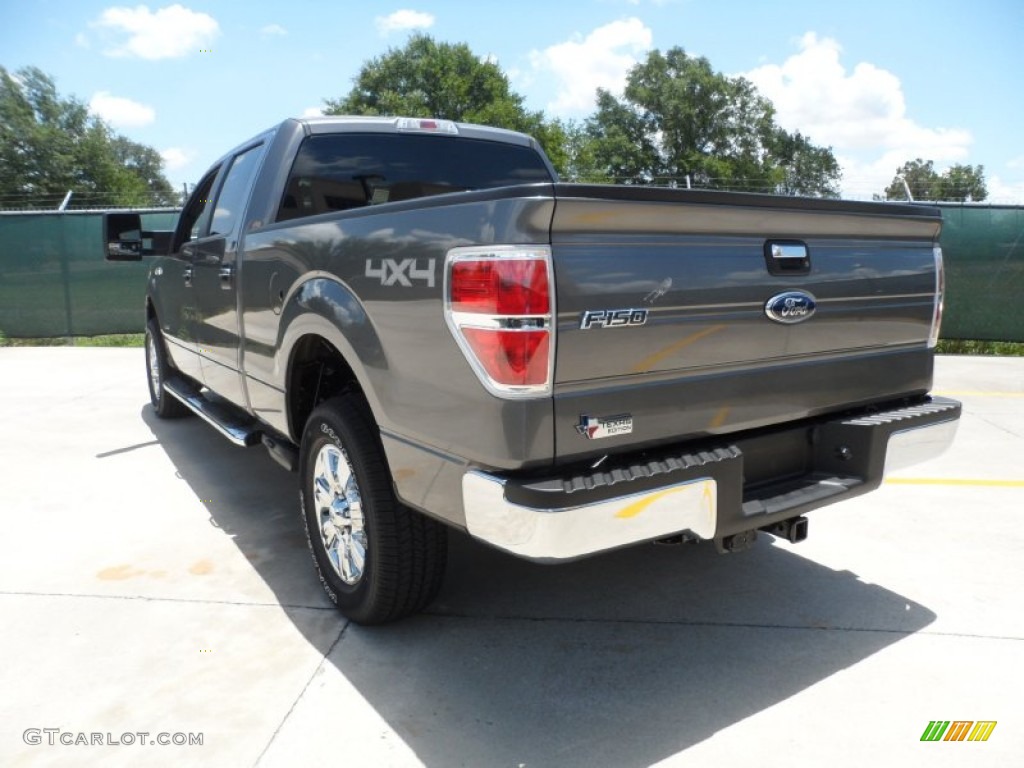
x=583, y=65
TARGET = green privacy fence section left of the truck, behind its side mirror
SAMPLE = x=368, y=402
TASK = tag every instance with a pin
x=55, y=281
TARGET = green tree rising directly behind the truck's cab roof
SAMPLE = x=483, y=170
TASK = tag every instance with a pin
x=428, y=79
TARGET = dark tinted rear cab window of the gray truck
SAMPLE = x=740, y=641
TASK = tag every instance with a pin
x=339, y=173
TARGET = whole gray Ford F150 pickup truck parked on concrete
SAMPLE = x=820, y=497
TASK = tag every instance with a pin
x=419, y=319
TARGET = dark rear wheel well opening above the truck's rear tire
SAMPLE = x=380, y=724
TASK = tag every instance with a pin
x=318, y=372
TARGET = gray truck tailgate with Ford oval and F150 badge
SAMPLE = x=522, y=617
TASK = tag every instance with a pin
x=663, y=312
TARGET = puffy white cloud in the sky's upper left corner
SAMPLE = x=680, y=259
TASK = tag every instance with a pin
x=167, y=33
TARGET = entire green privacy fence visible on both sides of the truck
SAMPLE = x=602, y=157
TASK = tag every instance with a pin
x=55, y=282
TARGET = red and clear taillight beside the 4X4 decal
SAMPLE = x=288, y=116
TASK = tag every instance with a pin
x=499, y=304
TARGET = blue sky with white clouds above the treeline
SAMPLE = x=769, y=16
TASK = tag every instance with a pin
x=881, y=81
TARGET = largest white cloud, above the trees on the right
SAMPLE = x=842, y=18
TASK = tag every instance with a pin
x=861, y=113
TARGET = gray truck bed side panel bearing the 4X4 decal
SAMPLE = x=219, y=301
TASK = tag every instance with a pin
x=390, y=261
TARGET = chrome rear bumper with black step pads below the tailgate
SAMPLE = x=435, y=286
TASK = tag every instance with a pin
x=701, y=494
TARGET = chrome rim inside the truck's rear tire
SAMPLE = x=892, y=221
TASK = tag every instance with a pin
x=339, y=511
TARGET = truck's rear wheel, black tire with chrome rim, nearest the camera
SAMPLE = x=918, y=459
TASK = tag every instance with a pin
x=394, y=566
